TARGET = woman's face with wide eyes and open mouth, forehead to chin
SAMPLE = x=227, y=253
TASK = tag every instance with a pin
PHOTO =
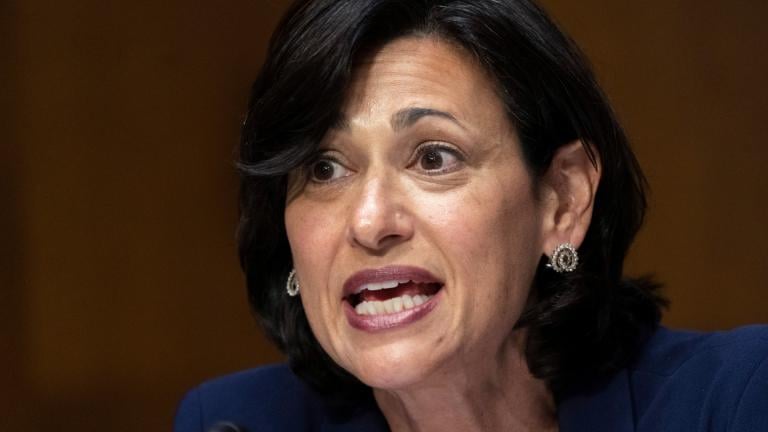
x=417, y=235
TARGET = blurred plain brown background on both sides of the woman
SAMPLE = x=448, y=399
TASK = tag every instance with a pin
x=119, y=286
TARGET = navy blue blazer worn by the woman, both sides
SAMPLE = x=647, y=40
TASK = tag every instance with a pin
x=682, y=381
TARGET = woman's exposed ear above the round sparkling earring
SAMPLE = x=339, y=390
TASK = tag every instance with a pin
x=568, y=194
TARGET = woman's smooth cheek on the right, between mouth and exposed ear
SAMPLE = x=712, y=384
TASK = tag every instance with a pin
x=493, y=245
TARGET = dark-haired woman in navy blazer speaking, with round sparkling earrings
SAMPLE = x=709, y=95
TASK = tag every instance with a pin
x=436, y=204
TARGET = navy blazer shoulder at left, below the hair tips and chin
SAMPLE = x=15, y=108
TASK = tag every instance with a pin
x=269, y=398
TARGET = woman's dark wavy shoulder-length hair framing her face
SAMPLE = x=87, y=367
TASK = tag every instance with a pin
x=580, y=325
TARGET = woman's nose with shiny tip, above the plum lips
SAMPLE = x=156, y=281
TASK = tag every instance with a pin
x=379, y=218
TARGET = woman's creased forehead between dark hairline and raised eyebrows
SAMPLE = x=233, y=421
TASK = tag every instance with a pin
x=425, y=72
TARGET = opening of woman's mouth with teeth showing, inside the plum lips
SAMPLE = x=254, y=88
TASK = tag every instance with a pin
x=387, y=297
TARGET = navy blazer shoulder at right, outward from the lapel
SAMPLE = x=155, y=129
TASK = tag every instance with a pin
x=719, y=379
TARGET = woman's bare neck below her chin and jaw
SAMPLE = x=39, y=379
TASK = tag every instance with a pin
x=497, y=393
